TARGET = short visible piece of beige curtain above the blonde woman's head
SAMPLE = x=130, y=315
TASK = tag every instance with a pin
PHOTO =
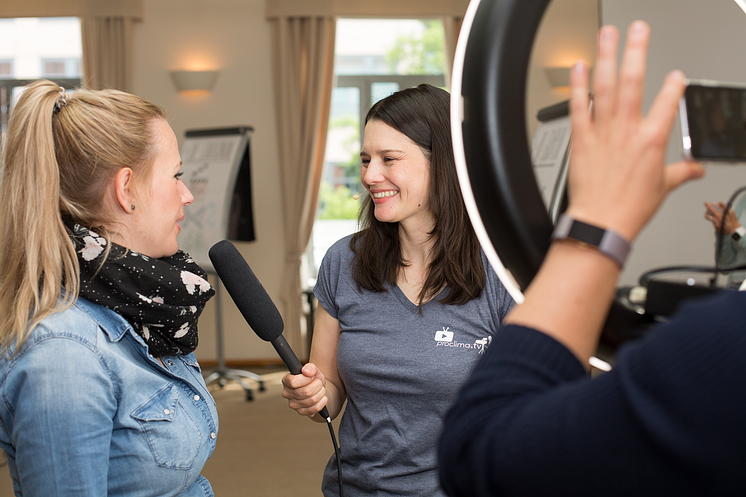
x=107, y=52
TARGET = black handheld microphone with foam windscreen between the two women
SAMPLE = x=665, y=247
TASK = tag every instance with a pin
x=252, y=300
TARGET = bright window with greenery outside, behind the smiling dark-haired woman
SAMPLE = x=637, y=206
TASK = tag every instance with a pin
x=367, y=69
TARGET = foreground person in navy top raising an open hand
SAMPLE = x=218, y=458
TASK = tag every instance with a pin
x=668, y=419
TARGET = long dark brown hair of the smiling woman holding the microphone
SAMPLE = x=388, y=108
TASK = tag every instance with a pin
x=423, y=115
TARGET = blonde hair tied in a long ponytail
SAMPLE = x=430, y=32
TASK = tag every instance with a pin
x=59, y=156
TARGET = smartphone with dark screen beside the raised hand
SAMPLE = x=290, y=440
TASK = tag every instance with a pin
x=713, y=121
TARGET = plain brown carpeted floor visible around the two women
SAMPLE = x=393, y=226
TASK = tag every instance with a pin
x=264, y=448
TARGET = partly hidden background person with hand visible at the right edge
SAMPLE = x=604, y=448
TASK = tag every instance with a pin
x=731, y=245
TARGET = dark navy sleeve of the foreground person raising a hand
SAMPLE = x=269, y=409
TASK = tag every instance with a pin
x=668, y=419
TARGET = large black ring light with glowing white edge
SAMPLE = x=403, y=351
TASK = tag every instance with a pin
x=488, y=126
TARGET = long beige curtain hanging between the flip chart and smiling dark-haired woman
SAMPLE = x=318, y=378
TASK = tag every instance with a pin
x=303, y=52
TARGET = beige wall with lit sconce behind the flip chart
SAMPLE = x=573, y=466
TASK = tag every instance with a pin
x=232, y=36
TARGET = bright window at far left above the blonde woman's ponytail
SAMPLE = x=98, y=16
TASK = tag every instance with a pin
x=33, y=48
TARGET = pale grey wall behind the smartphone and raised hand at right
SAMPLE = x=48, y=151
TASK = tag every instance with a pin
x=705, y=39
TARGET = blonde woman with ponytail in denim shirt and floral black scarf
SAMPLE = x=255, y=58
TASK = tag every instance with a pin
x=100, y=392
